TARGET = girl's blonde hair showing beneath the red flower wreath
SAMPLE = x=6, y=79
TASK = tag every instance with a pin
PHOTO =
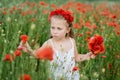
x=71, y=33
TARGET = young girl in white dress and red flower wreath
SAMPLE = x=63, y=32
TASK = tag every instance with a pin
x=63, y=45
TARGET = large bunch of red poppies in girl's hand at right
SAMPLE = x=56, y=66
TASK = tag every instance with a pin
x=95, y=44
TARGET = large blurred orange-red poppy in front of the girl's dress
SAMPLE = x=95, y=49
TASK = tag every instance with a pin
x=45, y=53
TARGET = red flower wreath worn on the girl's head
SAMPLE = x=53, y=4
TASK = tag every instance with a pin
x=66, y=14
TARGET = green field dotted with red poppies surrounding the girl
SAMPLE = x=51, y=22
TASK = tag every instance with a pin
x=31, y=18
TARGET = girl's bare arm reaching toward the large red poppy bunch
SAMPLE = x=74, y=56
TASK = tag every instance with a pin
x=82, y=57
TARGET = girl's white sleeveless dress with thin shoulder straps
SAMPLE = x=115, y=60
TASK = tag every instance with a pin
x=62, y=65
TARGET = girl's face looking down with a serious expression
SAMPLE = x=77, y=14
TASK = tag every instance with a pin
x=58, y=28
